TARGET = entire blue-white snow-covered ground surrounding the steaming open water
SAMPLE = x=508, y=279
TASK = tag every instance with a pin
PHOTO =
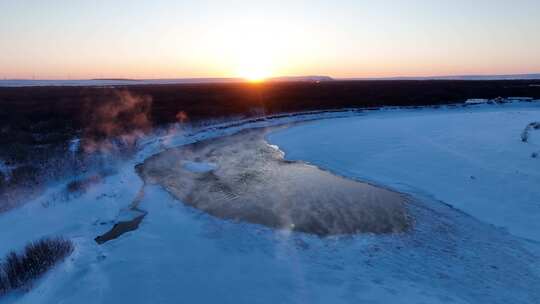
x=483, y=249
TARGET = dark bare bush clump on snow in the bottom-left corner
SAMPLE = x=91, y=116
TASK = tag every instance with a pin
x=18, y=270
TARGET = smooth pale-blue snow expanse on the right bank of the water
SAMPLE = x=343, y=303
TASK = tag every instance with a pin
x=471, y=159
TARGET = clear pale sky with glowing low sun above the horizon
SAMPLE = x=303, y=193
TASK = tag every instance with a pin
x=72, y=39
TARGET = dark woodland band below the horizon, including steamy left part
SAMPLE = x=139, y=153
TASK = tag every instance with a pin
x=43, y=117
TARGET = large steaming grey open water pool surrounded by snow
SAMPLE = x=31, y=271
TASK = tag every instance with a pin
x=248, y=180
